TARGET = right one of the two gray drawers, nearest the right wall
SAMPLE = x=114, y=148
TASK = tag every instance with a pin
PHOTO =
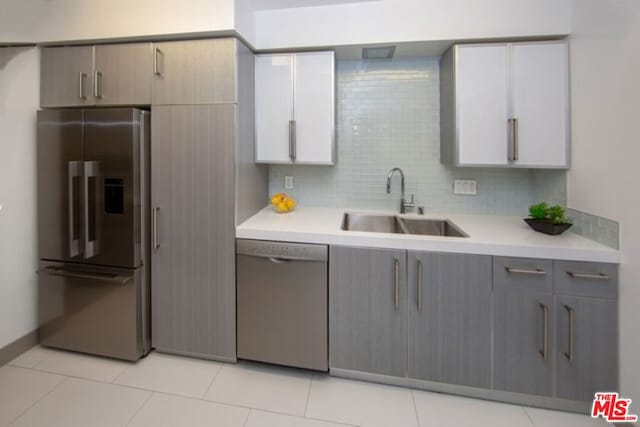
x=589, y=279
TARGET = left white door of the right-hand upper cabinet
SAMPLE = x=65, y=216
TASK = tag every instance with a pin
x=482, y=104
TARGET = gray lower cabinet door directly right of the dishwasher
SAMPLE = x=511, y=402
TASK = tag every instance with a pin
x=367, y=310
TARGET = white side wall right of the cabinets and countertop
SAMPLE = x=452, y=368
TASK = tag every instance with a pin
x=605, y=68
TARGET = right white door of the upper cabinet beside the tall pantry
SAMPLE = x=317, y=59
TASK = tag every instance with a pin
x=314, y=107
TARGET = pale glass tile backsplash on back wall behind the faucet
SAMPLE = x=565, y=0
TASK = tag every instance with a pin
x=388, y=115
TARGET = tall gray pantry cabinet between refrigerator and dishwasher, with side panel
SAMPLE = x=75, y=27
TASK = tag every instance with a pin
x=204, y=183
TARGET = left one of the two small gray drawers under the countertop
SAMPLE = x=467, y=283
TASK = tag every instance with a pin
x=523, y=274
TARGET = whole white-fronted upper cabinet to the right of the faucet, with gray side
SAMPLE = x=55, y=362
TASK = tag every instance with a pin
x=505, y=105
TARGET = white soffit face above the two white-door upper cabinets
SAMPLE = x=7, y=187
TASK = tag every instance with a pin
x=410, y=20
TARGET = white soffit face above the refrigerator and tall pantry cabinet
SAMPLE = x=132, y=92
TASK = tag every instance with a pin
x=55, y=20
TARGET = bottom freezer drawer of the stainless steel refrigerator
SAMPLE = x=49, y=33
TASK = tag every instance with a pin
x=95, y=310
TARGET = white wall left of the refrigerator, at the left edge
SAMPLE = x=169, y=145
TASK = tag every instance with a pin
x=19, y=93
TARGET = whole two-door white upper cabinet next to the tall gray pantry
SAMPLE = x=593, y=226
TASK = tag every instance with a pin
x=295, y=108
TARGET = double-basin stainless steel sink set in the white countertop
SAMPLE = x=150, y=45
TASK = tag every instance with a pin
x=398, y=225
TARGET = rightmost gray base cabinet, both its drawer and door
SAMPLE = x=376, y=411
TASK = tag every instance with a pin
x=587, y=329
